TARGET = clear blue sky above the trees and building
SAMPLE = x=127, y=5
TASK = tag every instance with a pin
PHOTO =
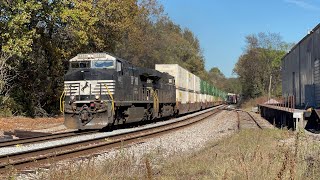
x=221, y=25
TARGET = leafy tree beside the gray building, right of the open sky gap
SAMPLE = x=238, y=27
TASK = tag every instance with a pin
x=260, y=60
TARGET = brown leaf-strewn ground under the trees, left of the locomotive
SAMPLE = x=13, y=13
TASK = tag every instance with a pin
x=28, y=124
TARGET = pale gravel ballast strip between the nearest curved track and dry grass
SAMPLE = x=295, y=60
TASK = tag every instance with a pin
x=189, y=139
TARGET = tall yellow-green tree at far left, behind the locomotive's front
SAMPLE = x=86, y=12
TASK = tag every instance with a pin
x=43, y=35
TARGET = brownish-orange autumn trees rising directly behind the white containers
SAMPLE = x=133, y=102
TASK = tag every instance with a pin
x=153, y=38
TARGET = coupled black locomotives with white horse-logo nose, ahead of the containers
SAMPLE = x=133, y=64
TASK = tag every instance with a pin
x=102, y=90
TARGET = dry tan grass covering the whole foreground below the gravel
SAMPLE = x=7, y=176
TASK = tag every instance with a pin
x=249, y=154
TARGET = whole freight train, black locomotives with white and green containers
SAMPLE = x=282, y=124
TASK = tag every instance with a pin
x=102, y=90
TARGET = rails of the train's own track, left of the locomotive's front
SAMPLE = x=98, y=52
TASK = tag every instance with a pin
x=37, y=139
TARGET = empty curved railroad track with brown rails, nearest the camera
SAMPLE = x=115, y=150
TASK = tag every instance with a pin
x=40, y=157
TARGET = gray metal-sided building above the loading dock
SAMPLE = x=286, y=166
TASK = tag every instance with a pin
x=301, y=71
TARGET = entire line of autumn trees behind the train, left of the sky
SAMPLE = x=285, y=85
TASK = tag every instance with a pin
x=38, y=37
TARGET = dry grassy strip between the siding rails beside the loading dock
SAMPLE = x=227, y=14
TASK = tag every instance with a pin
x=246, y=120
